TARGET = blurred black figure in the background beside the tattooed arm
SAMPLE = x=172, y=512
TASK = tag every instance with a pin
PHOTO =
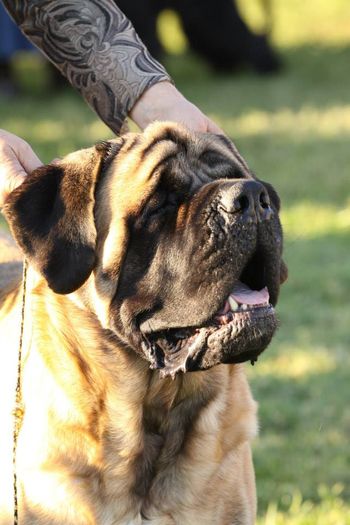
x=214, y=29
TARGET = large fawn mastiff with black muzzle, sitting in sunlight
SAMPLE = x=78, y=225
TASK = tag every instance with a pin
x=154, y=266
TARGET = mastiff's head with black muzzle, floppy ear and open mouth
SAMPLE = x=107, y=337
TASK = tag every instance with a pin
x=167, y=237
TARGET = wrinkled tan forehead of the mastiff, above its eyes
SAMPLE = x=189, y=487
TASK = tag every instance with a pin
x=134, y=163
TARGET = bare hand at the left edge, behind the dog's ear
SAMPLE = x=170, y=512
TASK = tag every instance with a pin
x=17, y=159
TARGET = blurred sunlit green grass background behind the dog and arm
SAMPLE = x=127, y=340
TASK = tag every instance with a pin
x=288, y=112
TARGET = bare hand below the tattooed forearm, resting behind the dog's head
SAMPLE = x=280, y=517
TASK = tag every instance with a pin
x=163, y=101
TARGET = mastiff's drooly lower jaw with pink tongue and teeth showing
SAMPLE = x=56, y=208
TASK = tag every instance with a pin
x=238, y=332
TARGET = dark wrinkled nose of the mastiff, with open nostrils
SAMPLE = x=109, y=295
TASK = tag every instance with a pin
x=248, y=198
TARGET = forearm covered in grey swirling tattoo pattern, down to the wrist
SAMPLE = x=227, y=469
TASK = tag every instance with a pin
x=96, y=47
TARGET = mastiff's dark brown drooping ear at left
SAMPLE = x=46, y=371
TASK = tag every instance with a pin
x=51, y=216
